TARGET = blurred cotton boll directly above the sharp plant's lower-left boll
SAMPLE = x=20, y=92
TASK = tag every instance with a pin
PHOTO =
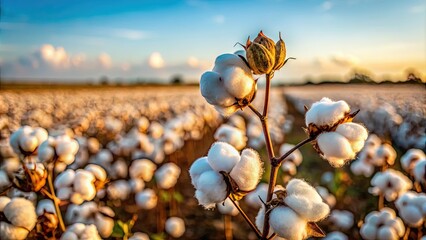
x=231, y=135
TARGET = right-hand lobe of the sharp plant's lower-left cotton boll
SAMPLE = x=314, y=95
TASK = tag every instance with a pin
x=248, y=171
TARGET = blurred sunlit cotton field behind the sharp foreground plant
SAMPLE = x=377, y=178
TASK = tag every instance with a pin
x=117, y=161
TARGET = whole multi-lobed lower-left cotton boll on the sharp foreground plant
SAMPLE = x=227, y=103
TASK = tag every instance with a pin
x=223, y=172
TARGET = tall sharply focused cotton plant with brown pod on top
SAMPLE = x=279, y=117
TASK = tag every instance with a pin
x=231, y=86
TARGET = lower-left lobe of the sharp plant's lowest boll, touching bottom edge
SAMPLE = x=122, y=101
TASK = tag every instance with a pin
x=287, y=224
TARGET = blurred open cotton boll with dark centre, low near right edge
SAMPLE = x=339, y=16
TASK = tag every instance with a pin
x=390, y=183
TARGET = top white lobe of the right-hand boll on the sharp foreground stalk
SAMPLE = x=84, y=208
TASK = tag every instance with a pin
x=326, y=112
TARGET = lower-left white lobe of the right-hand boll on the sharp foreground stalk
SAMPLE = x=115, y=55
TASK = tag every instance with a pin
x=335, y=148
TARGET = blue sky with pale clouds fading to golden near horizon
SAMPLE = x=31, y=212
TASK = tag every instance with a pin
x=158, y=39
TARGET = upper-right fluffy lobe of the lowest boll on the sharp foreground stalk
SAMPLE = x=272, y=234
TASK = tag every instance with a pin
x=305, y=201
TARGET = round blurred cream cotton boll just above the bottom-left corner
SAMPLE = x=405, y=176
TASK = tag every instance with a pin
x=21, y=213
